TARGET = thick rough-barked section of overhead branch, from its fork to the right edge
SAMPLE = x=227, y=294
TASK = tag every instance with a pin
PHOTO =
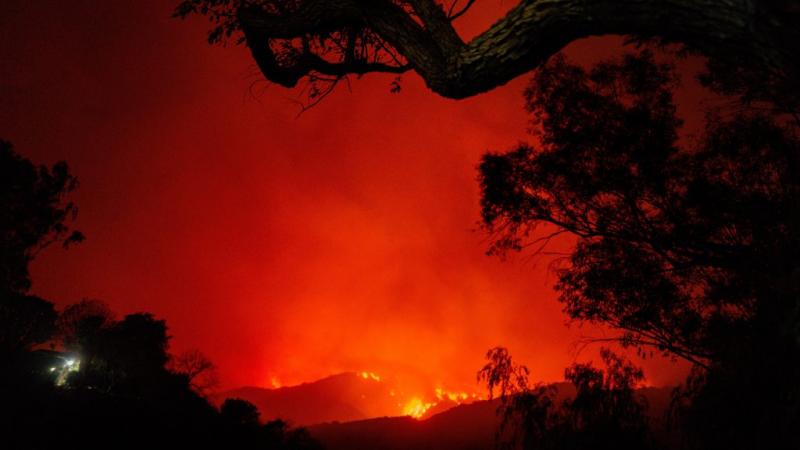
x=536, y=29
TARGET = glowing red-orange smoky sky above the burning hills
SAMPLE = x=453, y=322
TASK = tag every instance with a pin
x=282, y=247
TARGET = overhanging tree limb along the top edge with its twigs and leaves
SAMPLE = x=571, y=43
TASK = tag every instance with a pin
x=326, y=40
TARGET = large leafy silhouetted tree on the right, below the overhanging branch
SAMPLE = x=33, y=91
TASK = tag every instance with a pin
x=687, y=246
